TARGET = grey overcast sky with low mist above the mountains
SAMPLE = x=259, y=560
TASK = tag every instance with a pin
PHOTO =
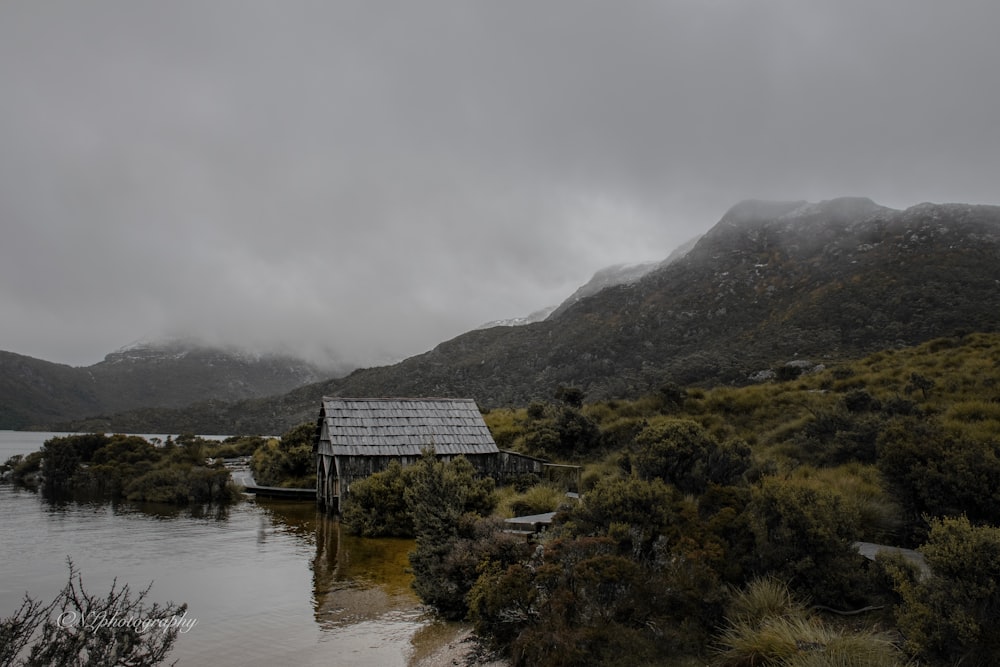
x=371, y=178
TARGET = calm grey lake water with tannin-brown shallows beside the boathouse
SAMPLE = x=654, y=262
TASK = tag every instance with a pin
x=267, y=581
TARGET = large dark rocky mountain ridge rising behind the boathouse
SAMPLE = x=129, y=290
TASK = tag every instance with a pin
x=772, y=282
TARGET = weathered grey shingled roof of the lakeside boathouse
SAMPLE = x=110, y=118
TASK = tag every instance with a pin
x=404, y=426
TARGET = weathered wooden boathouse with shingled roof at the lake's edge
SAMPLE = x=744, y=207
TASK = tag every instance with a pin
x=361, y=436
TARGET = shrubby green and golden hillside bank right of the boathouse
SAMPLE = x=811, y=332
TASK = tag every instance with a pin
x=719, y=525
